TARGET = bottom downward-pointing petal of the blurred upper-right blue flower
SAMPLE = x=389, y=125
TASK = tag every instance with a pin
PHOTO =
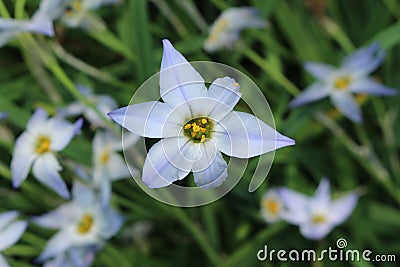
x=346, y=104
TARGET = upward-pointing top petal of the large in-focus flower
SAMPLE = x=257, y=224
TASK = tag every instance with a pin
x=179, y=81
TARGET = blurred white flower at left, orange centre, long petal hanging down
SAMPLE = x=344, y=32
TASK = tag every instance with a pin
x=38, y=145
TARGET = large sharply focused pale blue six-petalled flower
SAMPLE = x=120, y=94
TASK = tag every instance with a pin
x=196, y=124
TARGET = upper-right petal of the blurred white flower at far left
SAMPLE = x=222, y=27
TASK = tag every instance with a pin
x=62, y=132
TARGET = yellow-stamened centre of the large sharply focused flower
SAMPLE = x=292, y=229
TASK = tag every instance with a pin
x=198, y=129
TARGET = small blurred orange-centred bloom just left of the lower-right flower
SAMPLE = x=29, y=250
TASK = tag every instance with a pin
x=271, y=206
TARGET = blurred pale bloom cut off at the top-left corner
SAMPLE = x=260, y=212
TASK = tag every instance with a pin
x=41, y=22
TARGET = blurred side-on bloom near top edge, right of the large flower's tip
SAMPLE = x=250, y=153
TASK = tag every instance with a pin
x=226, y=29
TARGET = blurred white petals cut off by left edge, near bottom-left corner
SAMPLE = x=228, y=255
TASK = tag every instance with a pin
x=10, y=232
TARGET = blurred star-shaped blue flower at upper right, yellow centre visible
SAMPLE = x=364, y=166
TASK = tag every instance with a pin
x=341, y=83
